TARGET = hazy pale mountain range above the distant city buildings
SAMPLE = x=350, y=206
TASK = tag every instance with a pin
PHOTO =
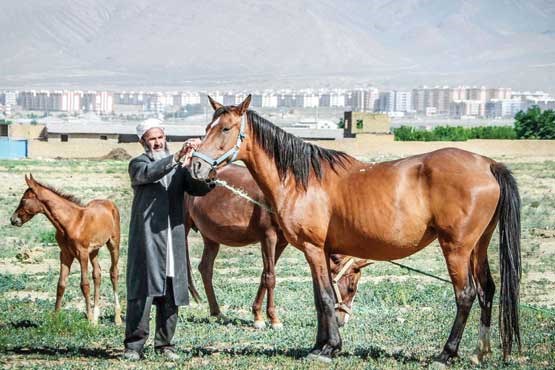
x=274, y=44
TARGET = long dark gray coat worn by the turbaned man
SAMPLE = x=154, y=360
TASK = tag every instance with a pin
x=148, y=229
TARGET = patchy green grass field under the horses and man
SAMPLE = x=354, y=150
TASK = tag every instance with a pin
x=401, y=319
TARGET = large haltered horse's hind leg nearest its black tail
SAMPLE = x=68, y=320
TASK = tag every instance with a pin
x=485, y=288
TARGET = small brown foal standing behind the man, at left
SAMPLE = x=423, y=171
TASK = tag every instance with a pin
x=80, y=232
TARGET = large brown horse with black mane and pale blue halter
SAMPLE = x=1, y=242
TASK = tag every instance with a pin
x=329, y=202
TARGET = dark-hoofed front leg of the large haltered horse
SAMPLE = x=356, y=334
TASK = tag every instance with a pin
x=328, y=340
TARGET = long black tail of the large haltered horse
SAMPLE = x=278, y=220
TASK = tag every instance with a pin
x=508, y=210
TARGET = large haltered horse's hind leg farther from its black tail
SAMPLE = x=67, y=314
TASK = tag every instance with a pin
x=457, y=256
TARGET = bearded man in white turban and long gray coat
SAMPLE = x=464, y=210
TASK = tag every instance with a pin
x=156, y=268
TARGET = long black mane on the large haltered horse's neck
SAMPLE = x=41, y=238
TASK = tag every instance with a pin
x=292, y=154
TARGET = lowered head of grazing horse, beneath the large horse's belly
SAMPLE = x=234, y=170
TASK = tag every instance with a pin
x=346, y=273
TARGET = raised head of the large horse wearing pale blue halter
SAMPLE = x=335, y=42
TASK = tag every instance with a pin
x=222, y=142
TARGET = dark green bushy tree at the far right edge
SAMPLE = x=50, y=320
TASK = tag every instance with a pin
x=535, y=124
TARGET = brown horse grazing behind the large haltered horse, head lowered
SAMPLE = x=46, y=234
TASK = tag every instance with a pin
x=225, y=218
